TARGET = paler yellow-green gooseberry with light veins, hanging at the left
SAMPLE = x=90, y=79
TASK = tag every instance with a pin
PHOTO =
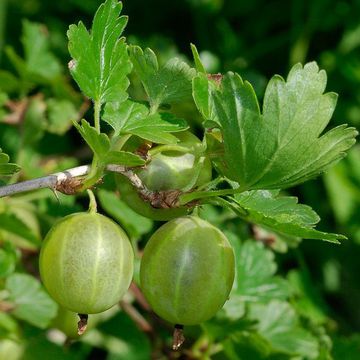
x=86, y=263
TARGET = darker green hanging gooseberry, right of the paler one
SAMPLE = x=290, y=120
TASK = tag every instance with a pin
x=187, y=270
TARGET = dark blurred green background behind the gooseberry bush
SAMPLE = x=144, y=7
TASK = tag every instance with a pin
x=257, y=39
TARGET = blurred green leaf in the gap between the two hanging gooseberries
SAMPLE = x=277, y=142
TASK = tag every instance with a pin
x=134, y=224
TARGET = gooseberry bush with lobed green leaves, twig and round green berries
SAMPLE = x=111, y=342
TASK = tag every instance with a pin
x=186, y=212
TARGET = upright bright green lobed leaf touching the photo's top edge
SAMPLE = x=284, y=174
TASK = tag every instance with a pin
x=100, y=61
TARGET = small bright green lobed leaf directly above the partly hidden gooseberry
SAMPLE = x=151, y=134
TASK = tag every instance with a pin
x=133, y=118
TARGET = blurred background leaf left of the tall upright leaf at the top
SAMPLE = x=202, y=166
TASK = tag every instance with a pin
x=39, y=60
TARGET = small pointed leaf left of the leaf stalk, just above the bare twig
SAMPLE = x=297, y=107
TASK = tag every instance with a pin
x=98, y=142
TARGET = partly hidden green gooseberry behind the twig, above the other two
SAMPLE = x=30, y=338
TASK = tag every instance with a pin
x=171, y=168
